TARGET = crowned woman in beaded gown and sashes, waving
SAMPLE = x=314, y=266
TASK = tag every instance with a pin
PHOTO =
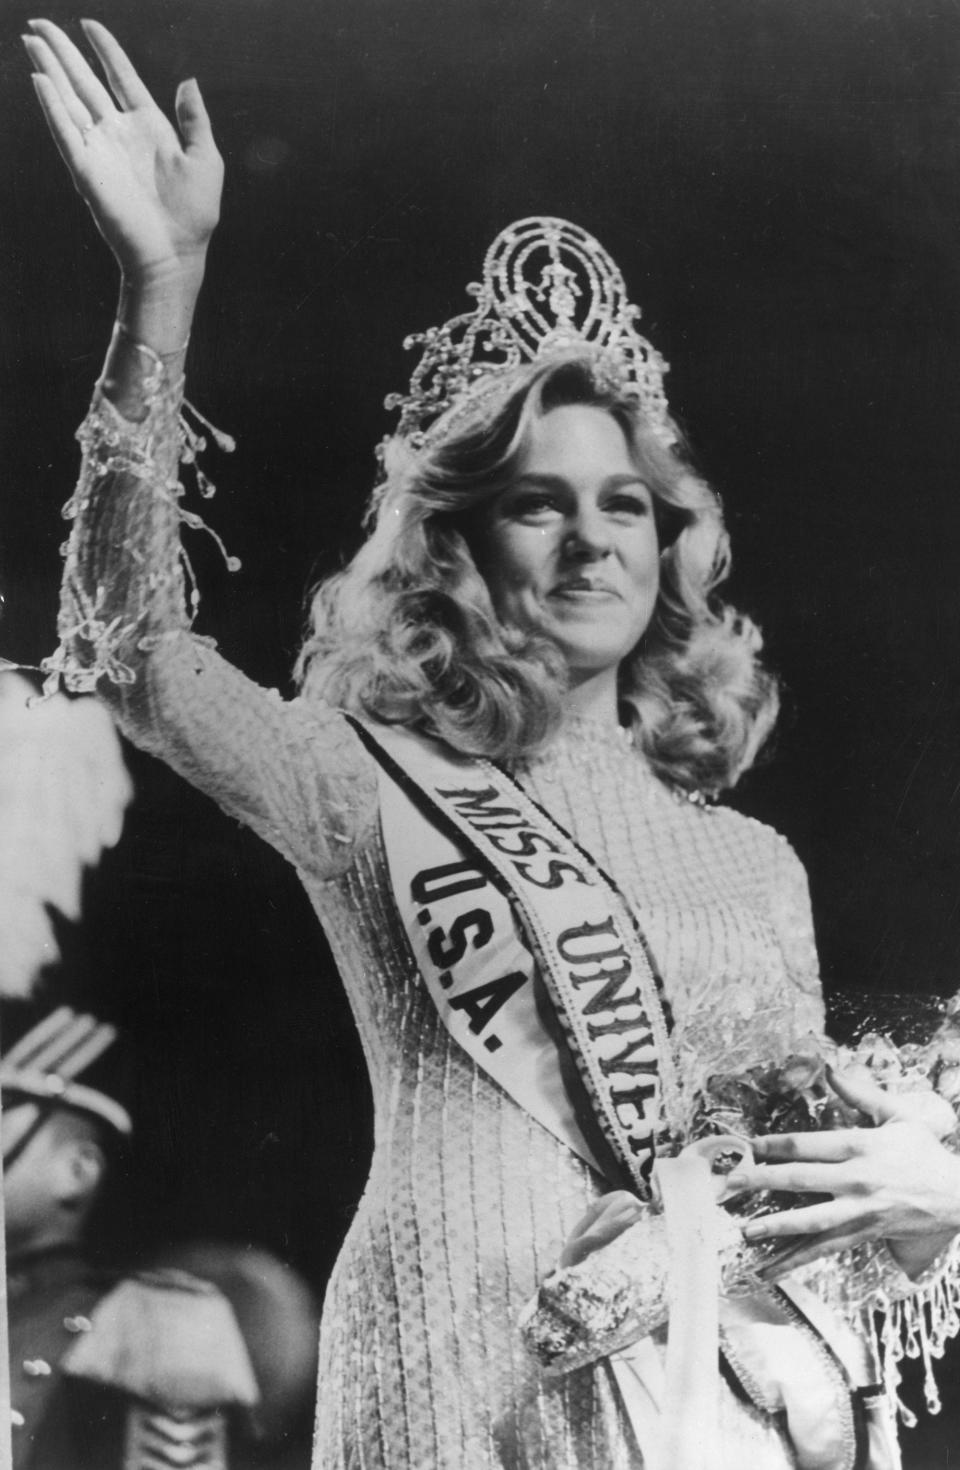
x=521, y=686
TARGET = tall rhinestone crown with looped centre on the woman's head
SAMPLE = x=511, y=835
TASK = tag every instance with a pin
x=549, y=290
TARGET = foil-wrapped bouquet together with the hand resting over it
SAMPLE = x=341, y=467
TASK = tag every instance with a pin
x=831, y=1149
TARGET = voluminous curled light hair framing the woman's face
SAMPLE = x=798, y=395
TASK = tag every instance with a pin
x=408, y=633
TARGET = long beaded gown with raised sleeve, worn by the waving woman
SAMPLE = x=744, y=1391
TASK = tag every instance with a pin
x=470, y=1200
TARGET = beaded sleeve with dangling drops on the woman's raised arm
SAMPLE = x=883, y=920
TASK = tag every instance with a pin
x=292, y=770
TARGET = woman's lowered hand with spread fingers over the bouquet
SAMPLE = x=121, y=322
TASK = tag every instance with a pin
x=893, y=1183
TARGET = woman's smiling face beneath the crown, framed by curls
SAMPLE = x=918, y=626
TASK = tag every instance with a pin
x=570, y=549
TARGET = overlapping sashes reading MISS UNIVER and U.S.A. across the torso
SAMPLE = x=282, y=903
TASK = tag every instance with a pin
x=470, y=856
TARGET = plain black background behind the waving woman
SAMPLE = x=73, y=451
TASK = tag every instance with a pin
x=781, y=186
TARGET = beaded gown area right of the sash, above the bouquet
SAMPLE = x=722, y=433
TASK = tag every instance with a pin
x=721, y=899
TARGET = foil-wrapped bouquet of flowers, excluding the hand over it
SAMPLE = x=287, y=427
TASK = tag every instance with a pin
x=608, y=1299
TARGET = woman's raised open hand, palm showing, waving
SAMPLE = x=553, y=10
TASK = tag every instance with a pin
x=155, y=192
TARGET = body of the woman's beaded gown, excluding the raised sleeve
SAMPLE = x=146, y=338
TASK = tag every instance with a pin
x=470, y=1200
